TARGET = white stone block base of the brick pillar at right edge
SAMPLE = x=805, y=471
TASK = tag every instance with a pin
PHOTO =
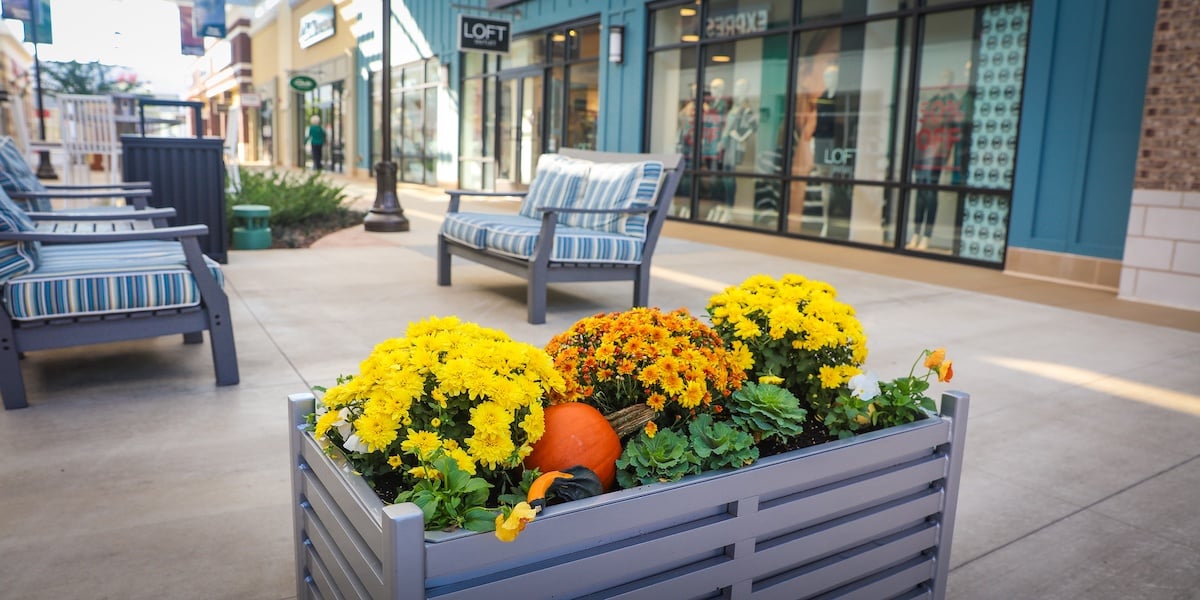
x=1162, y=254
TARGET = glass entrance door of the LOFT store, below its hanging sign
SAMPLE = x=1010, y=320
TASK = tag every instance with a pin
x=521, y=131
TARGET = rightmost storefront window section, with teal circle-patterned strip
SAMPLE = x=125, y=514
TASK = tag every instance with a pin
x=965, y=133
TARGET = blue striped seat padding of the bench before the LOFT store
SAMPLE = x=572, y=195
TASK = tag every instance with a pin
x=572, y=244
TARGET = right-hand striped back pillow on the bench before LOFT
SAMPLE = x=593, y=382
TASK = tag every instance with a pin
x=622, y=185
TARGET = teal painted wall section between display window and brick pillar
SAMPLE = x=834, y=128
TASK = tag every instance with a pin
x=1081, y=124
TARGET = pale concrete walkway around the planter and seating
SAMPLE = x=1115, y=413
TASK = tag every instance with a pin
x=133, y=476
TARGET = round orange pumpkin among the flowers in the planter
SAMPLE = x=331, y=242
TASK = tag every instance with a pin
x=578, y=434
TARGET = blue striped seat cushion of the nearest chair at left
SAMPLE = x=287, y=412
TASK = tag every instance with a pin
x=101, y=279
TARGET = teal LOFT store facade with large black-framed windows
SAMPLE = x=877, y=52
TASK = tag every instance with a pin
x=943, y=129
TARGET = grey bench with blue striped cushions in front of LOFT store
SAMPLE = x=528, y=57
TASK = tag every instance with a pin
x=587, y=217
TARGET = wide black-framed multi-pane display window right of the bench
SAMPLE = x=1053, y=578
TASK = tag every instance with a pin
x=859, y=151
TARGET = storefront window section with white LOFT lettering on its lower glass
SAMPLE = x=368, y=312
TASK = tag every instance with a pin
x=850, y=99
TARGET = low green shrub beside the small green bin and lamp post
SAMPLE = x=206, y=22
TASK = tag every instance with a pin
x=301, y=205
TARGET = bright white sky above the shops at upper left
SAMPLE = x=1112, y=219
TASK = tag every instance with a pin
x=142, y=35
